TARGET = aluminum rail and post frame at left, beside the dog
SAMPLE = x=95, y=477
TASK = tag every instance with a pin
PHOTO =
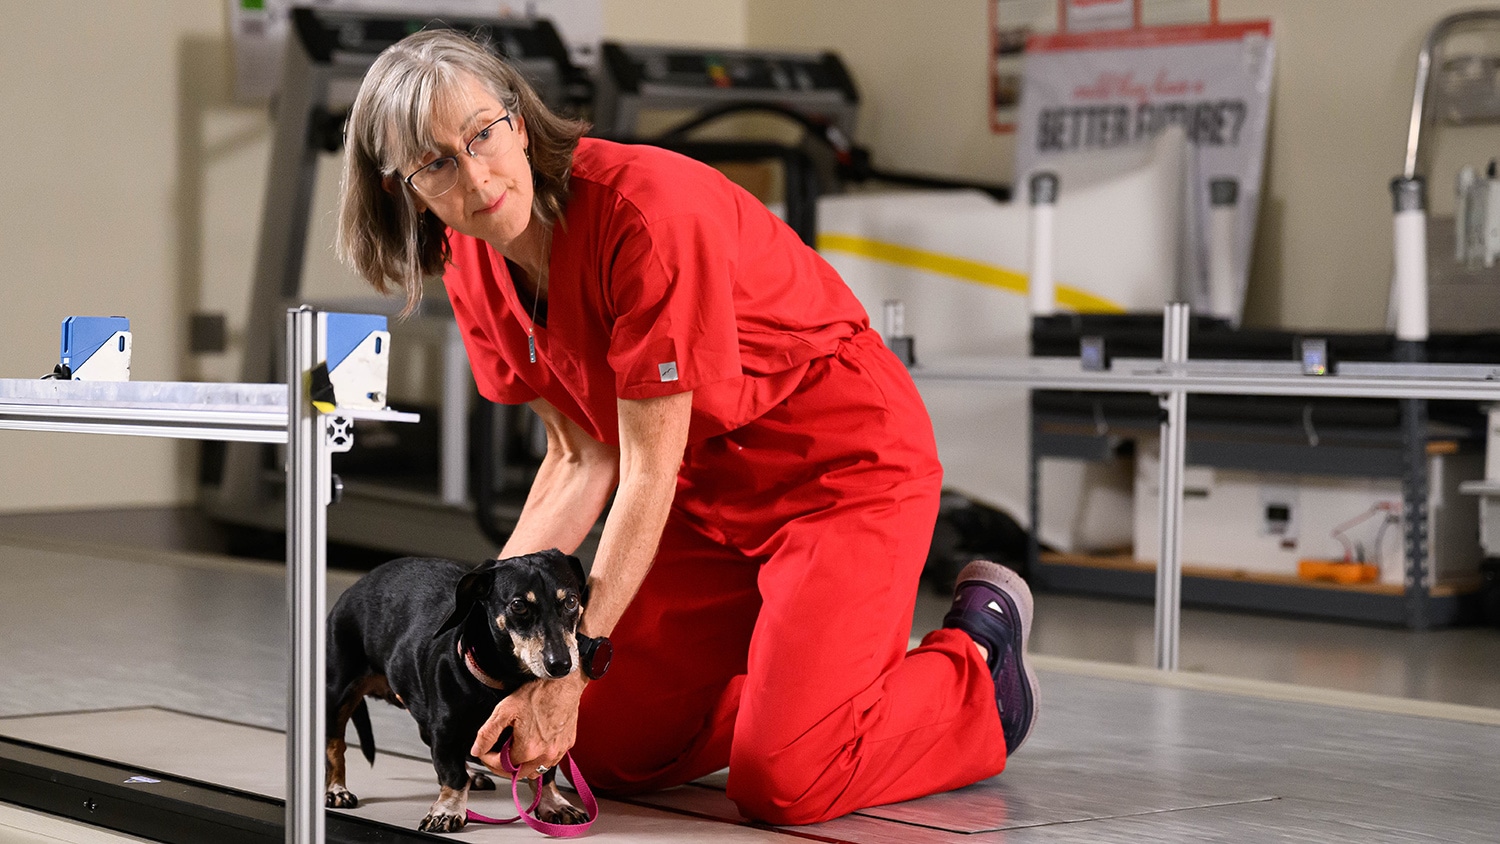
x=241, y=413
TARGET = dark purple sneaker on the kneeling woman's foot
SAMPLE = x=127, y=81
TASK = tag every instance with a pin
x=994, y=605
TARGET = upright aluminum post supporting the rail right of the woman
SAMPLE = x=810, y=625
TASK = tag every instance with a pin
x=1174, y=453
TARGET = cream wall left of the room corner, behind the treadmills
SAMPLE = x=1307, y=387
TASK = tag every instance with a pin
x=134, y=187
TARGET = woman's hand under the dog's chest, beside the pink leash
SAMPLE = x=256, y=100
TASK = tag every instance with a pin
x=544, y=720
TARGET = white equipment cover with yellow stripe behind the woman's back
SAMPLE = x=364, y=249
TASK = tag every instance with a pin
x=958, y=262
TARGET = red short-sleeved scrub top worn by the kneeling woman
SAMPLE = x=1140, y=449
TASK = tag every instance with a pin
x=665, y=277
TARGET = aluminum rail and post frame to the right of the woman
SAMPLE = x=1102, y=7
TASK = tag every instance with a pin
x=1175, y=377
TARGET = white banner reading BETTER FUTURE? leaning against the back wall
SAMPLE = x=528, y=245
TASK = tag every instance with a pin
x=1102, y=91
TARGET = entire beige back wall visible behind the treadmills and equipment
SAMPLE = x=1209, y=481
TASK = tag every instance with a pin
x=134, y=184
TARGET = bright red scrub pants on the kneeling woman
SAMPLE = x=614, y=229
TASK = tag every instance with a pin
x=772, y=632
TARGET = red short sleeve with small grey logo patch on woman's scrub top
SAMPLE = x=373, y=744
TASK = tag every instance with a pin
x=671, y=289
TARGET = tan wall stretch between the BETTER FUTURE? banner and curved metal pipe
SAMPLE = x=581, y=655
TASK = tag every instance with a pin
x=1339, y=128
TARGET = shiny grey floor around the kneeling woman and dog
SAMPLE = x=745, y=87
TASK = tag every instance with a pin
x=1277, y=729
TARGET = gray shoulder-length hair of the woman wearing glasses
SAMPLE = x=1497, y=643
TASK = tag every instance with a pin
x=382, y=235
